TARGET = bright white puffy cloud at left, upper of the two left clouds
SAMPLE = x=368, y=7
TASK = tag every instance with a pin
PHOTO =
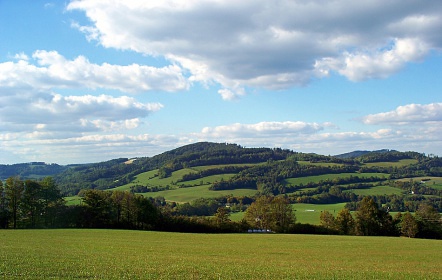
x=52, y=70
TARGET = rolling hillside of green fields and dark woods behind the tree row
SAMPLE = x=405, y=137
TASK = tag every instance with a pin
x=199, y=179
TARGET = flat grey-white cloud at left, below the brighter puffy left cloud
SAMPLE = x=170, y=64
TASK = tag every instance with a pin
x=46, y=114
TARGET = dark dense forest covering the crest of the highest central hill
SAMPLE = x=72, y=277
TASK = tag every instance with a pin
x=118, y=172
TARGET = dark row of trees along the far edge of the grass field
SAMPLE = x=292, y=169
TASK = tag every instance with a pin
x=39, y=204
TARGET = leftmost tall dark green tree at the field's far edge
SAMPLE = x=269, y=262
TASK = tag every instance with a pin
x=13, y=191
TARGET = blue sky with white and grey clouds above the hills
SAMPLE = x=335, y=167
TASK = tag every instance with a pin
x=89, y=81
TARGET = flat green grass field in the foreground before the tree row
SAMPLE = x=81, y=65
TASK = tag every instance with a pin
x=115, y=254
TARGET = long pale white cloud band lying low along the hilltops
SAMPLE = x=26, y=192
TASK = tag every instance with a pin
x=295, y=135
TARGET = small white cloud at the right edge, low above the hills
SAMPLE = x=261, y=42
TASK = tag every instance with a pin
x=408, y=114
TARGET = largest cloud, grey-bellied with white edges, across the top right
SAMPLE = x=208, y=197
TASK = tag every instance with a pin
x=279, y=45
